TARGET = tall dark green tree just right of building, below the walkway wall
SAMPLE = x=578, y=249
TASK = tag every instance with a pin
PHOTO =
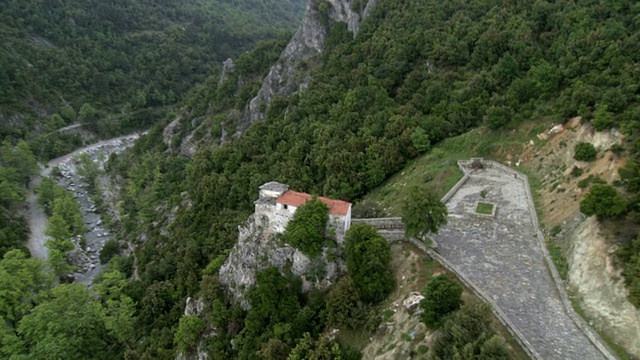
x=368, y=255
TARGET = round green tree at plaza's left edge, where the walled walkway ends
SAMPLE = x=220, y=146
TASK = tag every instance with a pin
x=423, y=213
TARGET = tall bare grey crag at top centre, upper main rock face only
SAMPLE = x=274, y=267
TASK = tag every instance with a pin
x=291, y=73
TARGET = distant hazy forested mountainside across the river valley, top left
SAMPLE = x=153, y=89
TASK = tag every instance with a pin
x=115, y=65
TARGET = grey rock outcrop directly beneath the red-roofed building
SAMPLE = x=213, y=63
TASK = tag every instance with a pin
x=257, y=249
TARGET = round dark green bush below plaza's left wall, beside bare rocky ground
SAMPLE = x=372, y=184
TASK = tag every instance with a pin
x=441, y=297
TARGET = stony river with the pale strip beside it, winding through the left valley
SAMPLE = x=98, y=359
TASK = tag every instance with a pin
x=96, y=234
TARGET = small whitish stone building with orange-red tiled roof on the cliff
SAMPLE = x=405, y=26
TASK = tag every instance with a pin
x=278, y=204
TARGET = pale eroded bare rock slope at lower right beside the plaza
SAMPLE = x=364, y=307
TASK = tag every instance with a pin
x=599, y=285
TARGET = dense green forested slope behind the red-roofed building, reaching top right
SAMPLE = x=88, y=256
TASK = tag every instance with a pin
x=416, y=73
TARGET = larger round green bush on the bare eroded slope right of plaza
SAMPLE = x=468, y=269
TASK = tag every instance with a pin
x=604, y=201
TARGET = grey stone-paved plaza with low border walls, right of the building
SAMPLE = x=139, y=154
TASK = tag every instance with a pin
x=502, y=256
